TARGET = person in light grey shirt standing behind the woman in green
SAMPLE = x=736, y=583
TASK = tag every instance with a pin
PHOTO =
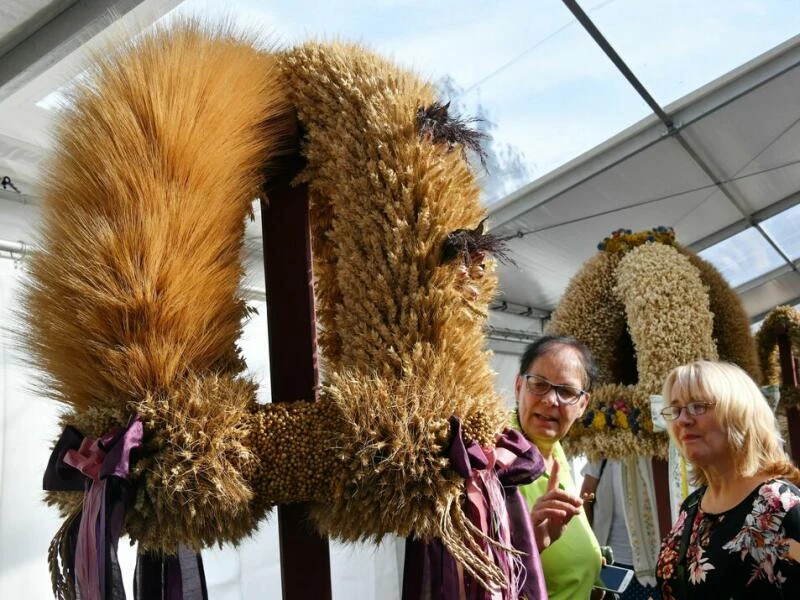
x=603, y=484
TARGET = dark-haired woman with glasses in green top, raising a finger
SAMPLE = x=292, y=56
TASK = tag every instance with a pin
x=551, y=390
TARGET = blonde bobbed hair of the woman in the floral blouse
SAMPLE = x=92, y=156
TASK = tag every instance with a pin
x=741, y=410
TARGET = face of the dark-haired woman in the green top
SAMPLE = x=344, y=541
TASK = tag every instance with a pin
x=543, y=418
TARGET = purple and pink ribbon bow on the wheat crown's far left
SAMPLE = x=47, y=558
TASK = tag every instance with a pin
x=99, y=468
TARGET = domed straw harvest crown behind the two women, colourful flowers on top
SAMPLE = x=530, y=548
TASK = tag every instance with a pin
x=644, y=305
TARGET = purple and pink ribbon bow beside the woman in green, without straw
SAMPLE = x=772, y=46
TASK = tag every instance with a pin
x=494, y=505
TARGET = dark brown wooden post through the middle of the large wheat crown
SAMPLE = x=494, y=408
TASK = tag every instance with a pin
x=305, y=559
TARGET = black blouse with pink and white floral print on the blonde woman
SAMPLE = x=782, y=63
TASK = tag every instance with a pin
x=741, y=553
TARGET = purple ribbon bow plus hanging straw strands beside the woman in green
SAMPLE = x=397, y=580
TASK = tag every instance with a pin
x=485, y=548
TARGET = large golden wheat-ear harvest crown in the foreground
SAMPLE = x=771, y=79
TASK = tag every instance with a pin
x=402, y=350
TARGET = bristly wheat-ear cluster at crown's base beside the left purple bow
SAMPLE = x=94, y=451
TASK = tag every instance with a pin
x=192, y=480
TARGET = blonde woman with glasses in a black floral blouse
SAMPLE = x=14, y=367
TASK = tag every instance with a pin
x=738, y=535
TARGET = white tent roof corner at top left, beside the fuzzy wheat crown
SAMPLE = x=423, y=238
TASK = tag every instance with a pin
x=39, y=43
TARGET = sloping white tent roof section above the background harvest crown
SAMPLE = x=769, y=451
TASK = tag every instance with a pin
x=744, y=130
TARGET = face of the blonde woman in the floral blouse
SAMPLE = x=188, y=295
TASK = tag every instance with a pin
x=700, y=438
